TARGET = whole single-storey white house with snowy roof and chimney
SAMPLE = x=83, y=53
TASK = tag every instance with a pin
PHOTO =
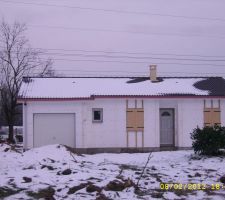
x=119, y=114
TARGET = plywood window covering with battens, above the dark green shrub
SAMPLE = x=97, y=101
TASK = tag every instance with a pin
x=212, y=114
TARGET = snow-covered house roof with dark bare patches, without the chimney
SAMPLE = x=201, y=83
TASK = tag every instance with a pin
x=83, y=87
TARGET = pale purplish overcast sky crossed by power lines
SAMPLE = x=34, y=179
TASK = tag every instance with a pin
x=123, y=37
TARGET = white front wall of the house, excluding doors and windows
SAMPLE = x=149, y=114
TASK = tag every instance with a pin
x=111, y=133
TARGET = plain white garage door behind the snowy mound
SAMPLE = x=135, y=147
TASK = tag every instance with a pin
x=54, y=129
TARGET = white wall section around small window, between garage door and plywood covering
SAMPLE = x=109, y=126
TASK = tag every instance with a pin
x=112, y=131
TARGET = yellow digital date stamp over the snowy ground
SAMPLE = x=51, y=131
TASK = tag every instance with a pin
x=191, y=186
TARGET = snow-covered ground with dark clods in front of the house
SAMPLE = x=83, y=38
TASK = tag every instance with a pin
x=53, y=172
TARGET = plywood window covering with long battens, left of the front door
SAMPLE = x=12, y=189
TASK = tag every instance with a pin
x=135, y=123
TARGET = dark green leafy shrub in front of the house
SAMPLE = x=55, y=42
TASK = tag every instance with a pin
x=208, y=140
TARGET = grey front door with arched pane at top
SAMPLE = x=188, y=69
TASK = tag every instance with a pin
x=166, y=127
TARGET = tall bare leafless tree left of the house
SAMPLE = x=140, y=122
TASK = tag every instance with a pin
x=17, y=59
